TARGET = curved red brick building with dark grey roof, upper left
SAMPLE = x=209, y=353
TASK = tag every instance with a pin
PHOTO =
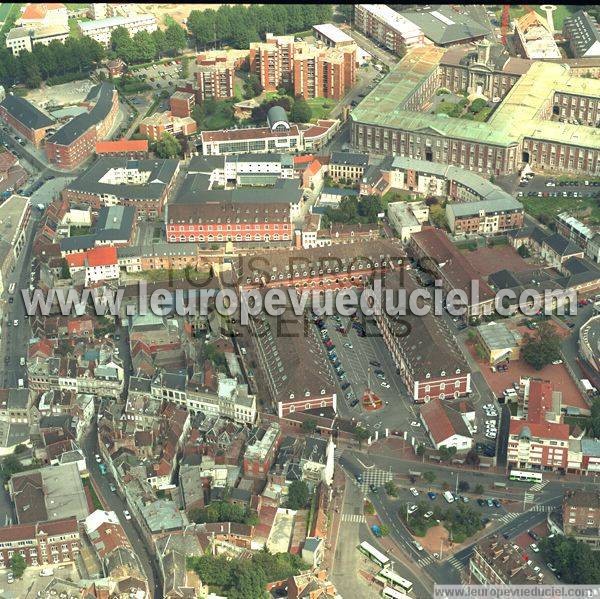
x=75, y=141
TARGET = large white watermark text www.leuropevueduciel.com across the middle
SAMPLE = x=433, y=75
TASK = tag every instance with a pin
x=373, y=300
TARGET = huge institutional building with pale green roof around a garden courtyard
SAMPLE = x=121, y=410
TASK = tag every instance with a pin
x=555, y=129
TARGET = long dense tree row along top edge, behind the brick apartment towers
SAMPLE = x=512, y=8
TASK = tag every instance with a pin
x=240, y=25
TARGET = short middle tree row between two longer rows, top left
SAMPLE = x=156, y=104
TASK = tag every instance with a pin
x=144, y=46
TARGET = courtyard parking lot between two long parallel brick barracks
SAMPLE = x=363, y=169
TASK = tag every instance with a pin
x=364, y=359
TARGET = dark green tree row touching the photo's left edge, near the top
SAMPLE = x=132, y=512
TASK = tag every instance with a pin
x=75, y=56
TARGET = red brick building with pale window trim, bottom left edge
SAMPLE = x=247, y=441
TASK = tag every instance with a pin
x=42, y=543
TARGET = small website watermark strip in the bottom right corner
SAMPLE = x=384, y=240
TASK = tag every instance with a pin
x=449, y=591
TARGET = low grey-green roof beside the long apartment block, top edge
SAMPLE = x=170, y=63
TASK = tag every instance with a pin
x=453, y=27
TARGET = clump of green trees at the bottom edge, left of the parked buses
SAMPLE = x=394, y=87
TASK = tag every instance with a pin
x=246, y=579
